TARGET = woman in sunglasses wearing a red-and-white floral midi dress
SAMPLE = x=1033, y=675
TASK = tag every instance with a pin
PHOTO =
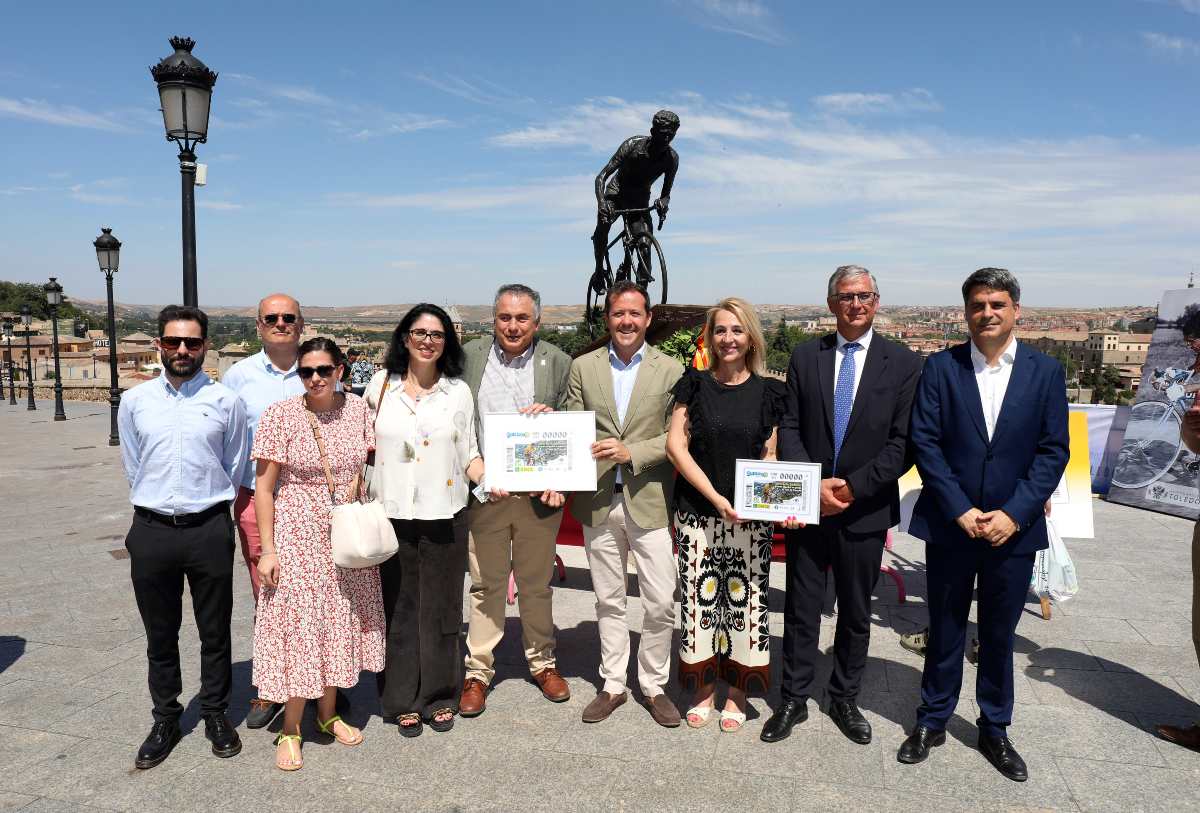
x=317, y=625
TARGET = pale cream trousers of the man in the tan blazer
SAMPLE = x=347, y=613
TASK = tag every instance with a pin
x=608, y=547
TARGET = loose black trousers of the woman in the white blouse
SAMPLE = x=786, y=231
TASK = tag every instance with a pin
x=423, y=610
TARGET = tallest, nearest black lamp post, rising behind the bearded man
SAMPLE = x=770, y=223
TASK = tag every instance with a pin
x=185, y=92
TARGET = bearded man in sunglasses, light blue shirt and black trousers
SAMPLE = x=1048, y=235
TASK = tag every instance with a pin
x=184, y=448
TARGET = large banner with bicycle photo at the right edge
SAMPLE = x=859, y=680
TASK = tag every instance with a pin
x=1155, y=469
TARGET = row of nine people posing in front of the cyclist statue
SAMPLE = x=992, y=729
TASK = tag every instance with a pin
x=281, y=442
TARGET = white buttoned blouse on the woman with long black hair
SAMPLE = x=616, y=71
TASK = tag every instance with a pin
x=423, y=448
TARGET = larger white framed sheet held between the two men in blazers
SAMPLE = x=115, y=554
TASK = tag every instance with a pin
x=536, y=453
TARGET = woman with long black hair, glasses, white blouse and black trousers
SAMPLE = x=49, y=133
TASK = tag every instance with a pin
x=427, y=456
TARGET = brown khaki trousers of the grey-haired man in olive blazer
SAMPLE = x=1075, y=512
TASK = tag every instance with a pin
x=506, y=537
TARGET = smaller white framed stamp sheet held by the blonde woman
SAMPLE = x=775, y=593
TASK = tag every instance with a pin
x=776, y=491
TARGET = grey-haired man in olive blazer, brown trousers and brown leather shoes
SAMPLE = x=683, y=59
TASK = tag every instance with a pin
x=507, y=374
